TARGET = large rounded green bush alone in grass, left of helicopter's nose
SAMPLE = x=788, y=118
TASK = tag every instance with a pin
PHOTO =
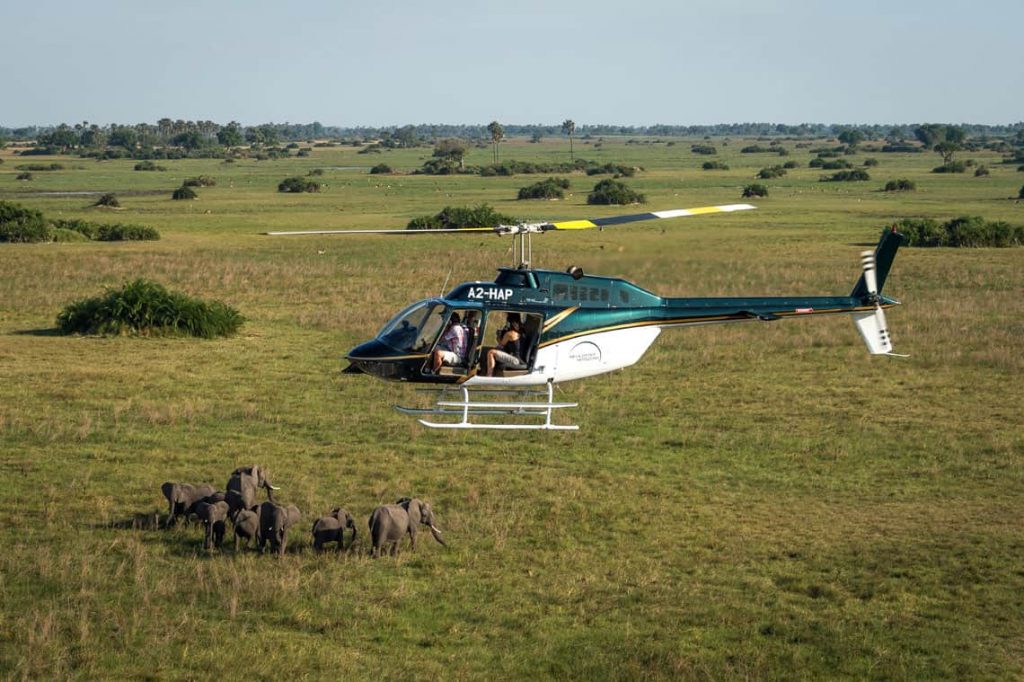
x=147, y=309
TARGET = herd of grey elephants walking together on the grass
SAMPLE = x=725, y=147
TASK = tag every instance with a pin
x=269, y=524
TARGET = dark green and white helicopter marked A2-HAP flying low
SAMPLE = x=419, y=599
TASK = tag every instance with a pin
x=572, y=326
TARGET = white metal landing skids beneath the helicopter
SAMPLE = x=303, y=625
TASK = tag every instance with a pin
x=513, y=403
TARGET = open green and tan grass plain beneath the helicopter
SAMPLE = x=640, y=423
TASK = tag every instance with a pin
x=749, y=502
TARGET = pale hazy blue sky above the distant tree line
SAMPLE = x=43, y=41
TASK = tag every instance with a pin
x=630, y=63
